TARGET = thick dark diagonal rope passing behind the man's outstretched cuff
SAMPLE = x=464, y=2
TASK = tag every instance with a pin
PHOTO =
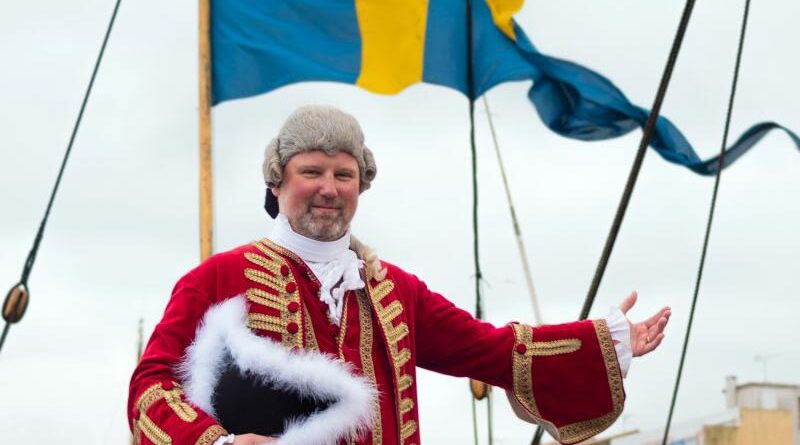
x=647, y=135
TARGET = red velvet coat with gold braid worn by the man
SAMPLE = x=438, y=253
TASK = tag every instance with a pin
x=565, y=377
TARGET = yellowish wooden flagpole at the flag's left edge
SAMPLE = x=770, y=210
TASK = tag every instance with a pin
x=204, y=109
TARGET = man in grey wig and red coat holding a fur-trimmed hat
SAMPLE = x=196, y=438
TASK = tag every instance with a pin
x=305, y=337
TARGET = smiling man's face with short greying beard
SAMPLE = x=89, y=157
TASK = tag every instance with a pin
x=319, y=193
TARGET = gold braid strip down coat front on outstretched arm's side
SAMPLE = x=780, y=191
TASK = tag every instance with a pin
x=400, y=357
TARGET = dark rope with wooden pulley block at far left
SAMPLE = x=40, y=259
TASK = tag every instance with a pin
x=18, y=296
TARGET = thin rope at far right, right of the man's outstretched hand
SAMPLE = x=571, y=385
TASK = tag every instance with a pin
x=711, y=209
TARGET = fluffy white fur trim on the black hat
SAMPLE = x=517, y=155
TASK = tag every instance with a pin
x=224, y=331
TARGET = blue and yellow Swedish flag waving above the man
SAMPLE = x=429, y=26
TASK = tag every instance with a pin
x=386, y=45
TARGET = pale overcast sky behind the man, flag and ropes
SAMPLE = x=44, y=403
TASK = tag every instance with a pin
x=124, y=227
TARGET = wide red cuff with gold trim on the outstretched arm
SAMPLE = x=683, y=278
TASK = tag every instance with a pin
x=567, y=379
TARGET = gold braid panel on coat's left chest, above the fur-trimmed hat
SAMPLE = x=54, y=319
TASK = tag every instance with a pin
x=268, y=273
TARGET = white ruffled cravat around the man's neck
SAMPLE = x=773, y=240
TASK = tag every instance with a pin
x=333, y=263
